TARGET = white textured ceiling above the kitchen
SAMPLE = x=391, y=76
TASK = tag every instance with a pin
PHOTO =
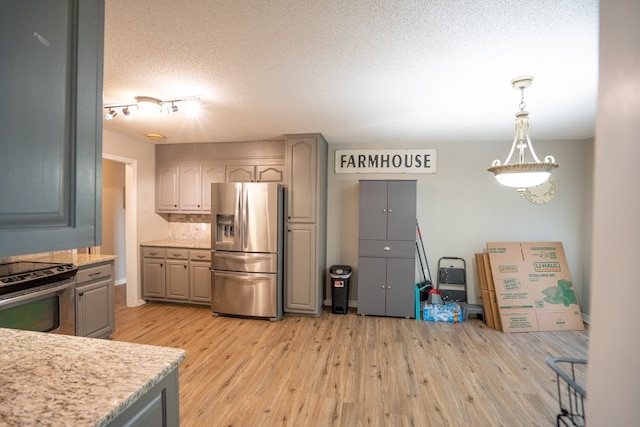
x=359, y=71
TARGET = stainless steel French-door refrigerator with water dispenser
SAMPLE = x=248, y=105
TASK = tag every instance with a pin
x=247, y=244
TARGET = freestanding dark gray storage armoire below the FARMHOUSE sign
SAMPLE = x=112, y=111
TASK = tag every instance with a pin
x=387, y=248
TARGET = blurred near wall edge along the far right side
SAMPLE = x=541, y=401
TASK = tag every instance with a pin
x=613, y=383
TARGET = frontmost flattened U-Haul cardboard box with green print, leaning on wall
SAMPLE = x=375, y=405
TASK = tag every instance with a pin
x=533, y=287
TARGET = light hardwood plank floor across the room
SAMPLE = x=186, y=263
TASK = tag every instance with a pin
x=352, y=370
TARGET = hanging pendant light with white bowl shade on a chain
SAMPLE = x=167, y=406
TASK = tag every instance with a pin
x=522, y=174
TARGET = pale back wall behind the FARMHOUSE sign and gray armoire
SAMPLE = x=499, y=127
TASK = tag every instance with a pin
x=462, y=207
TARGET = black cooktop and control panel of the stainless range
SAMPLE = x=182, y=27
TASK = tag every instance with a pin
x=21, y=275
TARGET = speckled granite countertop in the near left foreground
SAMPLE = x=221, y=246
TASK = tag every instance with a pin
x=61, y=380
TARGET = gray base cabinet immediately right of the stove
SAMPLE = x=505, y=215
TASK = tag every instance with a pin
x=95, y=304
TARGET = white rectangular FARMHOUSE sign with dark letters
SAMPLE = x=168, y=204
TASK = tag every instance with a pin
x=385, y=161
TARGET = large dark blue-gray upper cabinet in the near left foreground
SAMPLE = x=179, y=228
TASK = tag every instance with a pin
x=51, y=124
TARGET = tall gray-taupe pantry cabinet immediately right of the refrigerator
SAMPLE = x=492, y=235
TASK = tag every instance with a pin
x=306, y=166
